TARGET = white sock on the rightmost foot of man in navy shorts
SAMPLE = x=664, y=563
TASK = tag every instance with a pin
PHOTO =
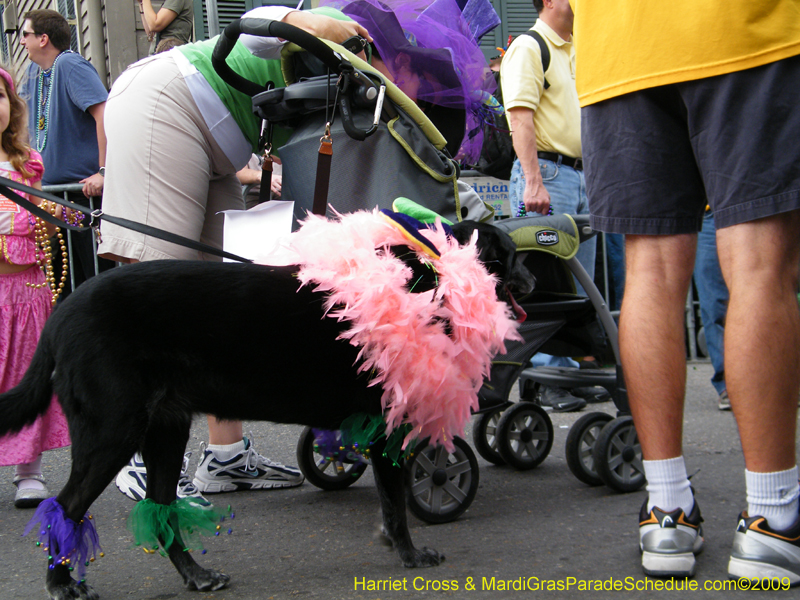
x=773, y=496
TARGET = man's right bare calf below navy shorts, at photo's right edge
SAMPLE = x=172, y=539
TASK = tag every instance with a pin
x=759, y=261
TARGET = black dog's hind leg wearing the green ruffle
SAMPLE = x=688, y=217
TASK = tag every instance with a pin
x=162, y=452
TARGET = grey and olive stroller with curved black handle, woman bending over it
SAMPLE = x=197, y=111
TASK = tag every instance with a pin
x=375, y=125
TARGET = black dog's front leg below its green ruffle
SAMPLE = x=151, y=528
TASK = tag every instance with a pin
x=390, y=480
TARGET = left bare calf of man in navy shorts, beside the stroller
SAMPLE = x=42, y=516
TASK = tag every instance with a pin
x=658, y=273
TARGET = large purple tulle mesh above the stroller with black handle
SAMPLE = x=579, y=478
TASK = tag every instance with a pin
x=454, y=73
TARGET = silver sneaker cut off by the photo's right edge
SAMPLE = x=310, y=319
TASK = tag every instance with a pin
x=760, y=552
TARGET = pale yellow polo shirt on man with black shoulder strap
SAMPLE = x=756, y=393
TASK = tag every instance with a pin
x=557, y=115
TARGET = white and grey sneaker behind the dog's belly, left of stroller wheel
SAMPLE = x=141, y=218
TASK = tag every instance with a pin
x=247, y=470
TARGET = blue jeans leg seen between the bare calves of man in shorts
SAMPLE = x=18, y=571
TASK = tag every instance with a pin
x=713, y=295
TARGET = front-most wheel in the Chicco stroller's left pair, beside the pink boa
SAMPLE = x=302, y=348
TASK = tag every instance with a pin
x=524, y=435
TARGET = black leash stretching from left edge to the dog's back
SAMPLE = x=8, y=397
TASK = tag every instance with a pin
x=7, y=186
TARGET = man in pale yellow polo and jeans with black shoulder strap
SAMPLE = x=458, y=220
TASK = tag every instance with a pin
x=545, y=122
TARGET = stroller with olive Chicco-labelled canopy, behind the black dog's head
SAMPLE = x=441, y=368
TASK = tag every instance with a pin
x=600, y=449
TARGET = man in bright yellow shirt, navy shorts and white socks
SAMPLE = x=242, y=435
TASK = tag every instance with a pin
x=682, y=102
